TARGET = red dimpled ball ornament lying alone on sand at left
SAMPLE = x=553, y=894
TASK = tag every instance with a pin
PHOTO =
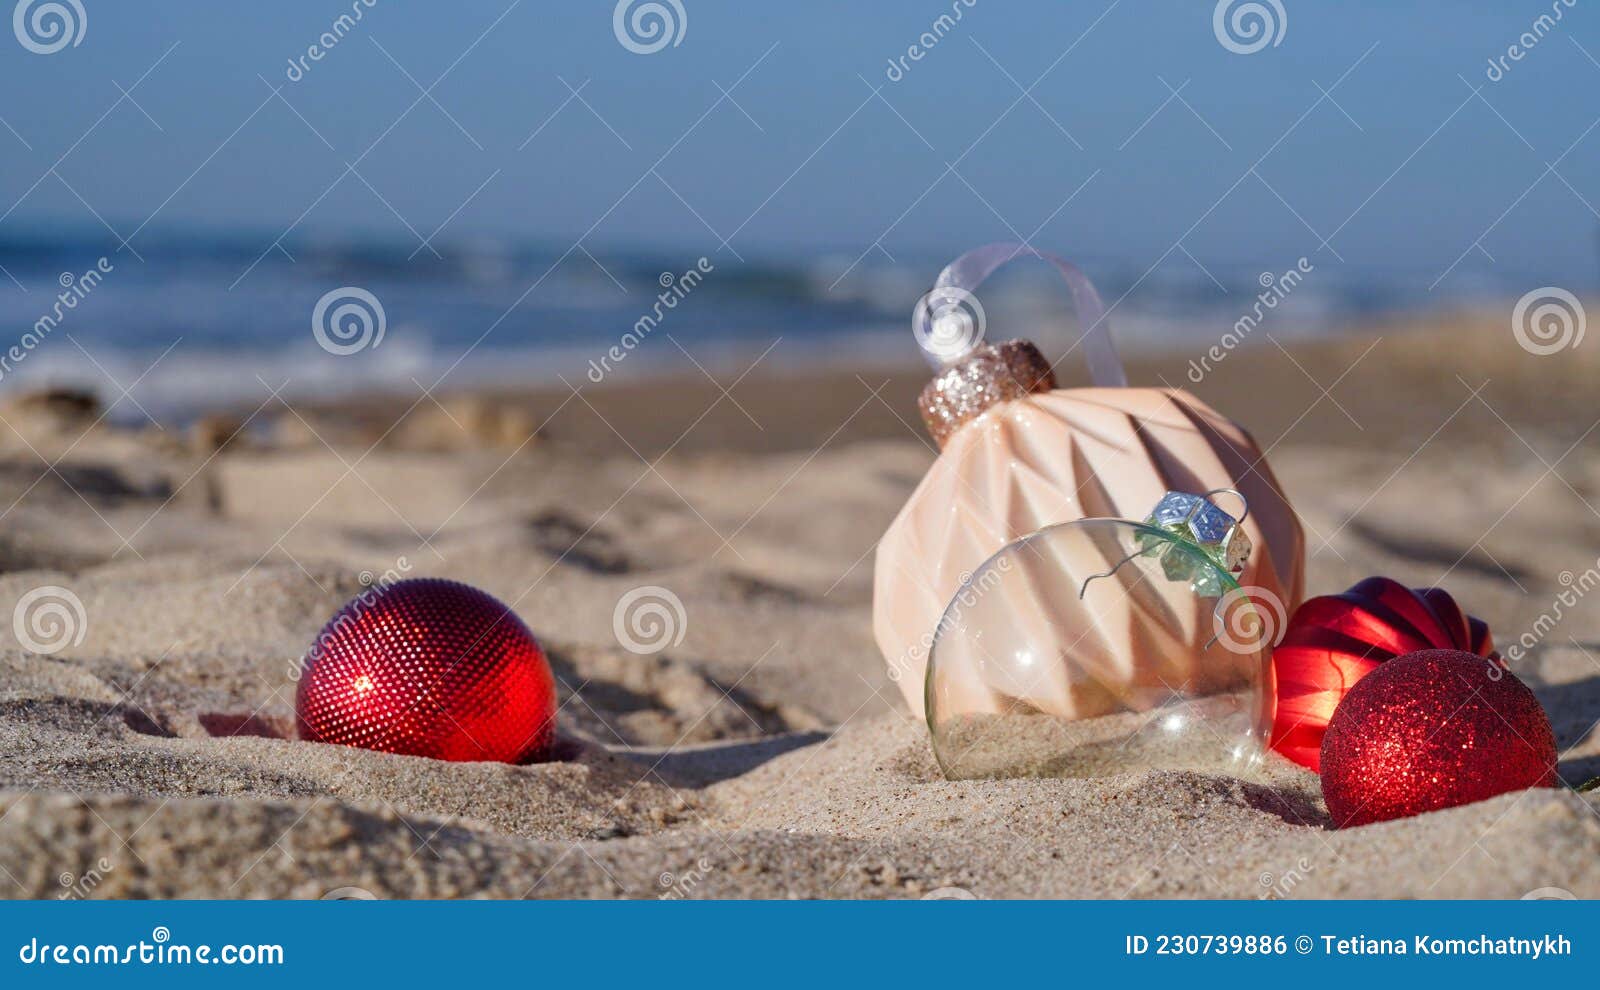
x=430, y=668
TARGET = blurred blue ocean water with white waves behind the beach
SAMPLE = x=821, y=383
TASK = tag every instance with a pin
x=201, y=322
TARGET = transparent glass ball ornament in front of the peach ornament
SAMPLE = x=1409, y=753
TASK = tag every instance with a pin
x=1102, y=647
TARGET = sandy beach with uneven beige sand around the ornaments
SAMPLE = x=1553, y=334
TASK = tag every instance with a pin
x=767, y=754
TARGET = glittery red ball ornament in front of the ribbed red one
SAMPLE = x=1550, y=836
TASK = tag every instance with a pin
x=1433, y=730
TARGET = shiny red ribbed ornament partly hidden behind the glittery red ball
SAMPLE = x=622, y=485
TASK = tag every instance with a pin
x=1335, y=641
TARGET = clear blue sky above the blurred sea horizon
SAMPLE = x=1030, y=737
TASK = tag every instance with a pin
x=1358, y=140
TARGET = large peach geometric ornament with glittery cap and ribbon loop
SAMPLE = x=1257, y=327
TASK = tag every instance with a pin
x=1020, y=455
